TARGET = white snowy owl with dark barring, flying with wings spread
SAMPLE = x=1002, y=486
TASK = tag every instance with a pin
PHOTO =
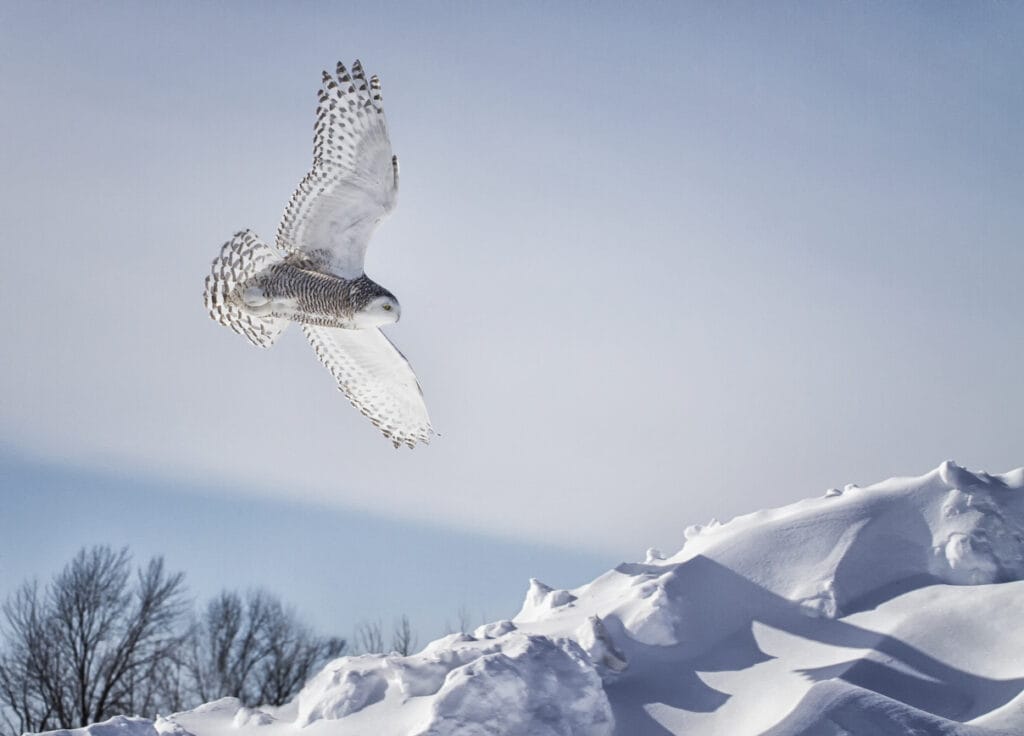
x=315, y=276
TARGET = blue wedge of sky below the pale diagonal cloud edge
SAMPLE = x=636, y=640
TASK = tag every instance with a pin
x=337, y=568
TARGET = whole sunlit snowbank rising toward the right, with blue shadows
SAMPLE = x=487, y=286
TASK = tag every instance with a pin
x=893, y=609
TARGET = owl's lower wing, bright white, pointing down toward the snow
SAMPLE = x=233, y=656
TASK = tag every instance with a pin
x=377, y=379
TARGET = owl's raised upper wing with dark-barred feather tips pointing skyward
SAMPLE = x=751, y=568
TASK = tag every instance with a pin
x=354, y=183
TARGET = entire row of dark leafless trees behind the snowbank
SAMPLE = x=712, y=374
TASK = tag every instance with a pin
x=104, y=638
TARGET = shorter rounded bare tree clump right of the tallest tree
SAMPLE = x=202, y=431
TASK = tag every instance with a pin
x=254, y=650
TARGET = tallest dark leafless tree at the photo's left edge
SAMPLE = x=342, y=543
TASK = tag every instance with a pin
x=91, y=645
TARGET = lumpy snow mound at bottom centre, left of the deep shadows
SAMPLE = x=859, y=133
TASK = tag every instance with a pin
x=505, y=683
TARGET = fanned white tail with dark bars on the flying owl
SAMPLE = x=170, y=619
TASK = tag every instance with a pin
x=241, y=258
